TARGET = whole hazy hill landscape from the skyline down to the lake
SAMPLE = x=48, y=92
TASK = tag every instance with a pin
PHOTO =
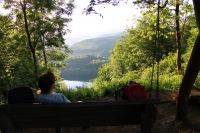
x=88, y=55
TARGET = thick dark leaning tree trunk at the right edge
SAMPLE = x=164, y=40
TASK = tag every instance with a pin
x=191, y=73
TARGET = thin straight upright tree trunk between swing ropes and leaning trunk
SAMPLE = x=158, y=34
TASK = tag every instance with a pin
x=178, y=37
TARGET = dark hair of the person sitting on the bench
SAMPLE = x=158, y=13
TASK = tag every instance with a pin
x=46, y=81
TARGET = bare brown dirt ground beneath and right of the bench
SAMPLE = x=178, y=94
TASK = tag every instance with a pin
x=164, y=121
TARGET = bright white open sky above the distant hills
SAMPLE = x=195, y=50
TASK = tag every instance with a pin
x=115, y=18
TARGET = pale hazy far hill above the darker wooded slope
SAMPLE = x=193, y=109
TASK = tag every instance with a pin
x=96, y=46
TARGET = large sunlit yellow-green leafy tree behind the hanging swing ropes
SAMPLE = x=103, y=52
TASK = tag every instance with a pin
x=135, y=51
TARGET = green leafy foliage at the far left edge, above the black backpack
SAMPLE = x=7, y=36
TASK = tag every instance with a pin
x=7, y=56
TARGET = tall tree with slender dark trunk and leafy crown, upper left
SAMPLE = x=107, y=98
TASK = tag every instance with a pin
x=36, y=19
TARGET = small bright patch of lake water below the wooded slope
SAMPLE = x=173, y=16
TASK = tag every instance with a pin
x=74, y=84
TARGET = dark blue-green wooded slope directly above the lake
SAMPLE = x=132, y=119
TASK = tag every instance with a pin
x=82, y=68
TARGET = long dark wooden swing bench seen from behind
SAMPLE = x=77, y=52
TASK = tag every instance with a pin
x=16, y=117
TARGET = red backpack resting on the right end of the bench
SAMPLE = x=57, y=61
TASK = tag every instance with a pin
x=135, y=91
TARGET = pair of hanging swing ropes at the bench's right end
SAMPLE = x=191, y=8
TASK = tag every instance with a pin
x=157, y=51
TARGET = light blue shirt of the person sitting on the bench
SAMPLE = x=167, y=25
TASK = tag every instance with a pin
x=51, y=98
